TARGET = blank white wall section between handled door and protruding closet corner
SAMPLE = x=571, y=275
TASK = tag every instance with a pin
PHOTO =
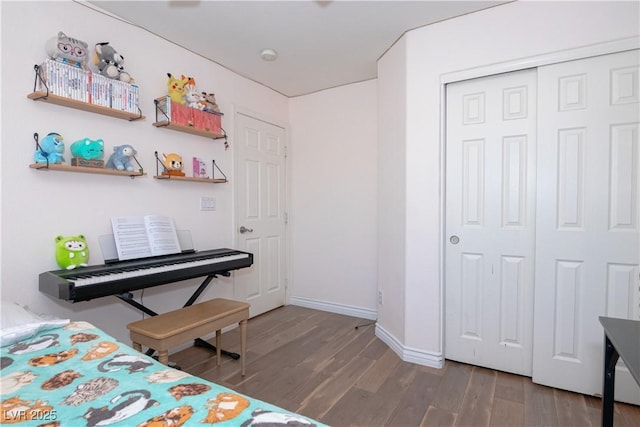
x=333, y=199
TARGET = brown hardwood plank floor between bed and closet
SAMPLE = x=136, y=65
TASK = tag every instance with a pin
x=332, y=368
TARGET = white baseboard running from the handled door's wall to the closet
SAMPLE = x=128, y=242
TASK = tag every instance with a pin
x=407, y=354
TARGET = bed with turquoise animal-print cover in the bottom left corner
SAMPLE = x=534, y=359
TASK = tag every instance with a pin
x=56, y=372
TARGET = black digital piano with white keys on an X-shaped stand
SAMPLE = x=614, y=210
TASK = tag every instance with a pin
x=91, y=282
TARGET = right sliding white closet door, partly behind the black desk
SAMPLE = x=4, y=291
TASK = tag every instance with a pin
x=588, y=242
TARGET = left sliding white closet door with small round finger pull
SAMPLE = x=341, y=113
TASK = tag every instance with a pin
x=490, y=218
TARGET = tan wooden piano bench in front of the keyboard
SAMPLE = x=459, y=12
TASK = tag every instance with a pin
x=176, y=327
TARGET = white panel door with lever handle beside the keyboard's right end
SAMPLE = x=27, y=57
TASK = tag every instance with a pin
x=260, y=212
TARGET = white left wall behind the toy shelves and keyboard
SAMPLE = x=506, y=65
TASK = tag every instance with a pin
x=38, y=205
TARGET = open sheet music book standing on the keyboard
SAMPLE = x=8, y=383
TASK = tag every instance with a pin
x=144, y=236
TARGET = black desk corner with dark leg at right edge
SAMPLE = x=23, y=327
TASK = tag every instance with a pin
x=621, y=339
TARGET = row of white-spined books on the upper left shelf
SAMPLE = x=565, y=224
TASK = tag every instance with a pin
x=86, y=86
